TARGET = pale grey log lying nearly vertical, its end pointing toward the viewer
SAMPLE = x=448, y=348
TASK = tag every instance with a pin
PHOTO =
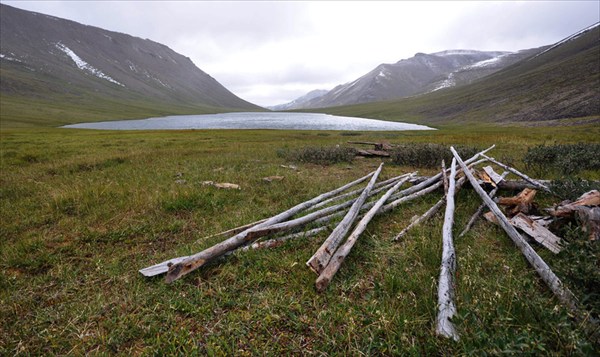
x=446, y=307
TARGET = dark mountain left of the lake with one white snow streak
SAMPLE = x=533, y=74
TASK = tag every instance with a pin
x=46, y=59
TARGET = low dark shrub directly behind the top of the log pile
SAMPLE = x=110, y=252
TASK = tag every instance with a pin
x=428, y=155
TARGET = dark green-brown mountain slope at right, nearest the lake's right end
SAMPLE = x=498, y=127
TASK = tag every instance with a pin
x=561, y=81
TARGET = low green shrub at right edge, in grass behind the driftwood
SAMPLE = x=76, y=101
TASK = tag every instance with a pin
x=566, y=159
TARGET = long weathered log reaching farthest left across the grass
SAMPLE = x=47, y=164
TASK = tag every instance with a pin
x=190, y=263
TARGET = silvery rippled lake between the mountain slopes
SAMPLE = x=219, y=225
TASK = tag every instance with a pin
x=268, y=120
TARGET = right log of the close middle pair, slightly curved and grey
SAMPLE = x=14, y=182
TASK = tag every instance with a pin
x=336, y=261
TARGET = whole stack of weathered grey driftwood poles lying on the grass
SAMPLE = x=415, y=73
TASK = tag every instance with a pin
x=348, y=212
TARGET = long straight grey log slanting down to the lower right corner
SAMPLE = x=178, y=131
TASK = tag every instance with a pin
x=564, y=295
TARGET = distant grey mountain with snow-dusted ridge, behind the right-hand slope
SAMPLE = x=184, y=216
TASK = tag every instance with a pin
x=420, y=74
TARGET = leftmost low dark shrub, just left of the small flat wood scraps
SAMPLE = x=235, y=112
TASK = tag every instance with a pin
x=319, y=155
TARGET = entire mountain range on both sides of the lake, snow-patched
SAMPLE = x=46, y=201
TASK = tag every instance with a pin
x=60, y=71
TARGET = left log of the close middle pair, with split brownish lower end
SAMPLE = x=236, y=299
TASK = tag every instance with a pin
x=322, y=256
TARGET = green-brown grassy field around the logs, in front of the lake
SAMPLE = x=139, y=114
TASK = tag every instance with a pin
x=82, y=211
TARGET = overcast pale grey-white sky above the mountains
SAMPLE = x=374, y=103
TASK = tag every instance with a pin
x=271, y=52
